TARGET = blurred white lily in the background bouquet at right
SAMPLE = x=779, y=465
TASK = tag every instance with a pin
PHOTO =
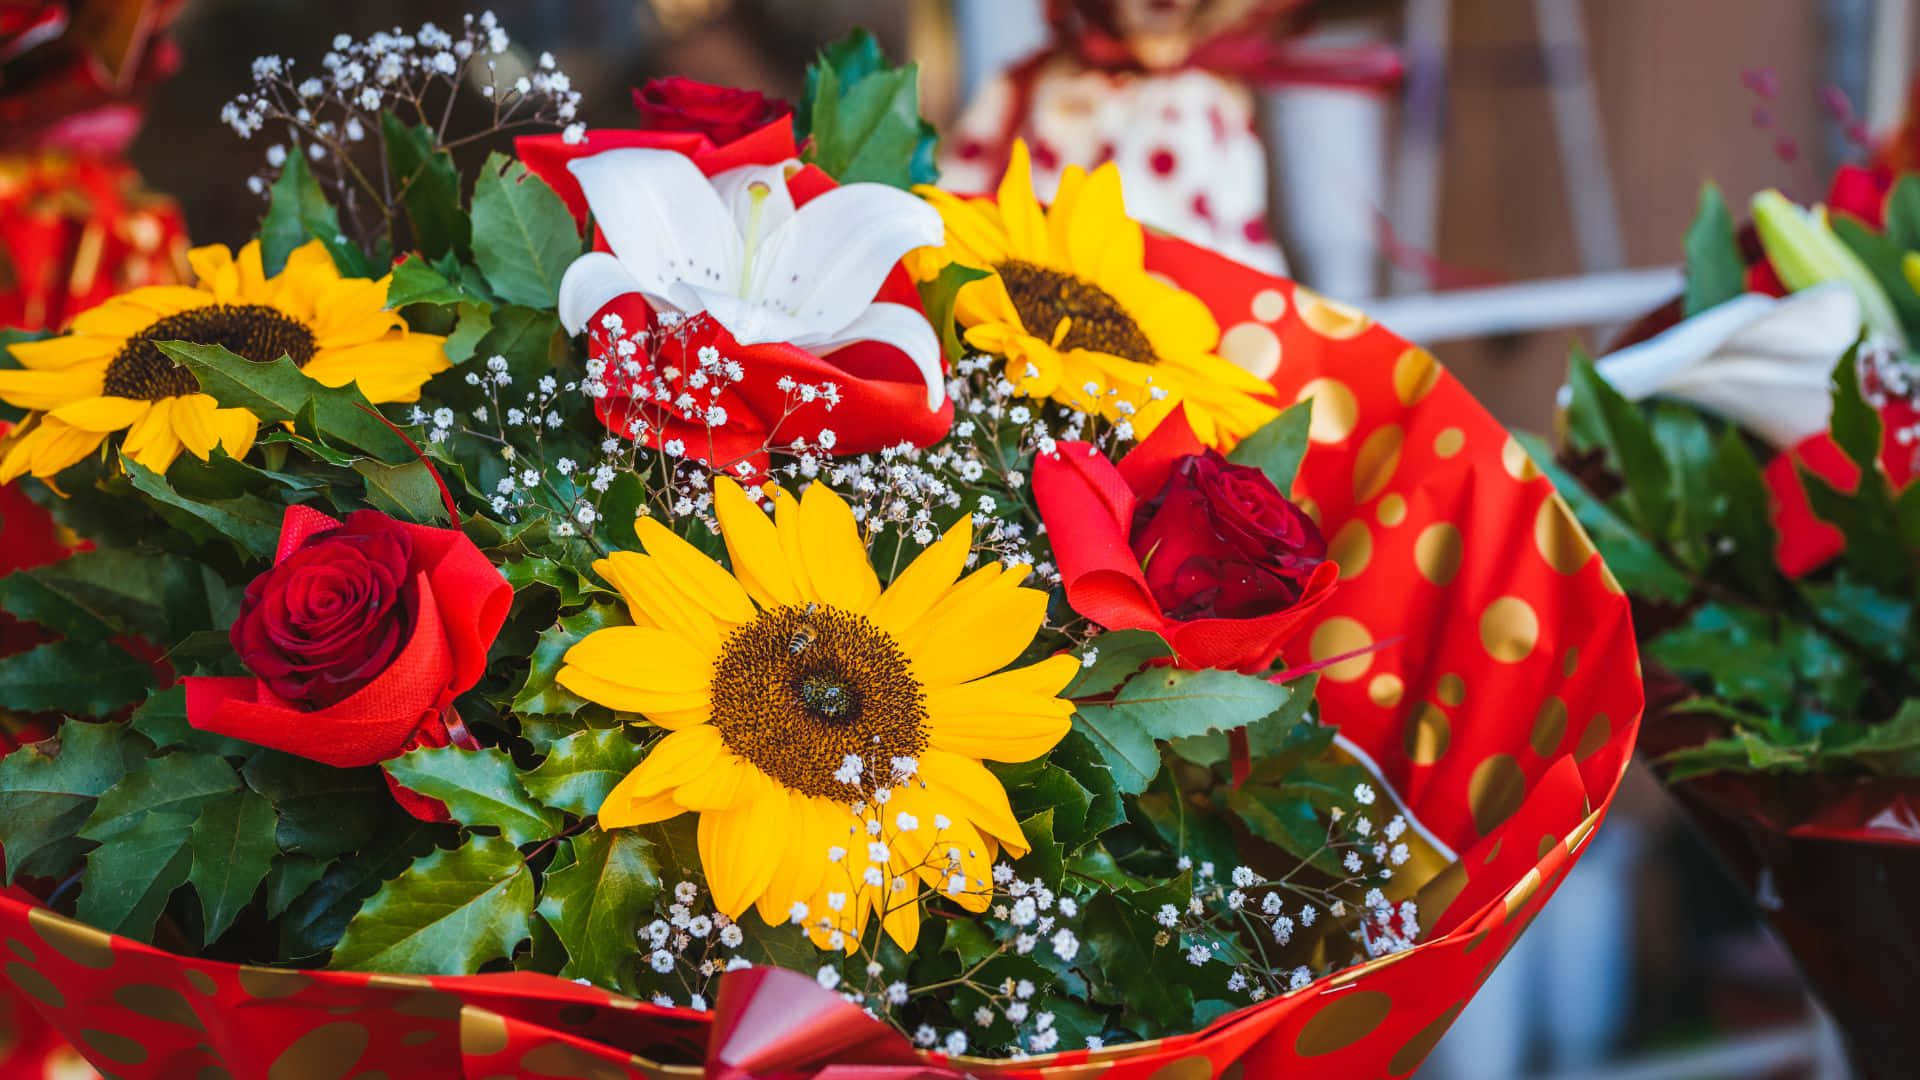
x=1754, y=360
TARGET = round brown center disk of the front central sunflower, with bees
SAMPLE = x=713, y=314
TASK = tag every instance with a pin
x=800, y=691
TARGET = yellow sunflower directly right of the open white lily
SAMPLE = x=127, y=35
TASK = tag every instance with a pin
x=1076, y=316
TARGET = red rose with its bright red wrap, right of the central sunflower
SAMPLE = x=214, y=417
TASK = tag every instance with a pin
x=1176, y=541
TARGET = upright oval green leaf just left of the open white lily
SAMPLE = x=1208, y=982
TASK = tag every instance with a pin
x=525, y=237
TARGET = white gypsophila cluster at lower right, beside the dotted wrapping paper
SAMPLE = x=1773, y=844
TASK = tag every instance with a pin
x=1260, y=929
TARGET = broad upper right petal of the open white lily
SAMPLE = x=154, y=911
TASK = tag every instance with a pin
x=832, y=257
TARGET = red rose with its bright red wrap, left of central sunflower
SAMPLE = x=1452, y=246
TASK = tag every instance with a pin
x=360, y=639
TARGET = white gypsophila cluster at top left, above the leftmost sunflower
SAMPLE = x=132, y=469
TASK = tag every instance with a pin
x=333, y=110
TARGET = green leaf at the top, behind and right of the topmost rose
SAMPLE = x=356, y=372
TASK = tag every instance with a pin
x=863, y=118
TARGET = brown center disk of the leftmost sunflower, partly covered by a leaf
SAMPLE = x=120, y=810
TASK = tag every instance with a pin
x=254, y=331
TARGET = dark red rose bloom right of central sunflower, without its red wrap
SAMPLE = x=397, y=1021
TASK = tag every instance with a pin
x=1222, y=543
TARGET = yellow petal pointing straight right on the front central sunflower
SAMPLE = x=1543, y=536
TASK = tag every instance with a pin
x=1015, y=716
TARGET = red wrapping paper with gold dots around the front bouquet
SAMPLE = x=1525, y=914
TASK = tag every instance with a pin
x=1504, y=716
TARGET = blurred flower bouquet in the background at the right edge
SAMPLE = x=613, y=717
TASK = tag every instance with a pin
x=1746, y=464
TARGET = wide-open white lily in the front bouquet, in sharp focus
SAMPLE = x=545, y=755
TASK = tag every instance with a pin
x=740, y=251
